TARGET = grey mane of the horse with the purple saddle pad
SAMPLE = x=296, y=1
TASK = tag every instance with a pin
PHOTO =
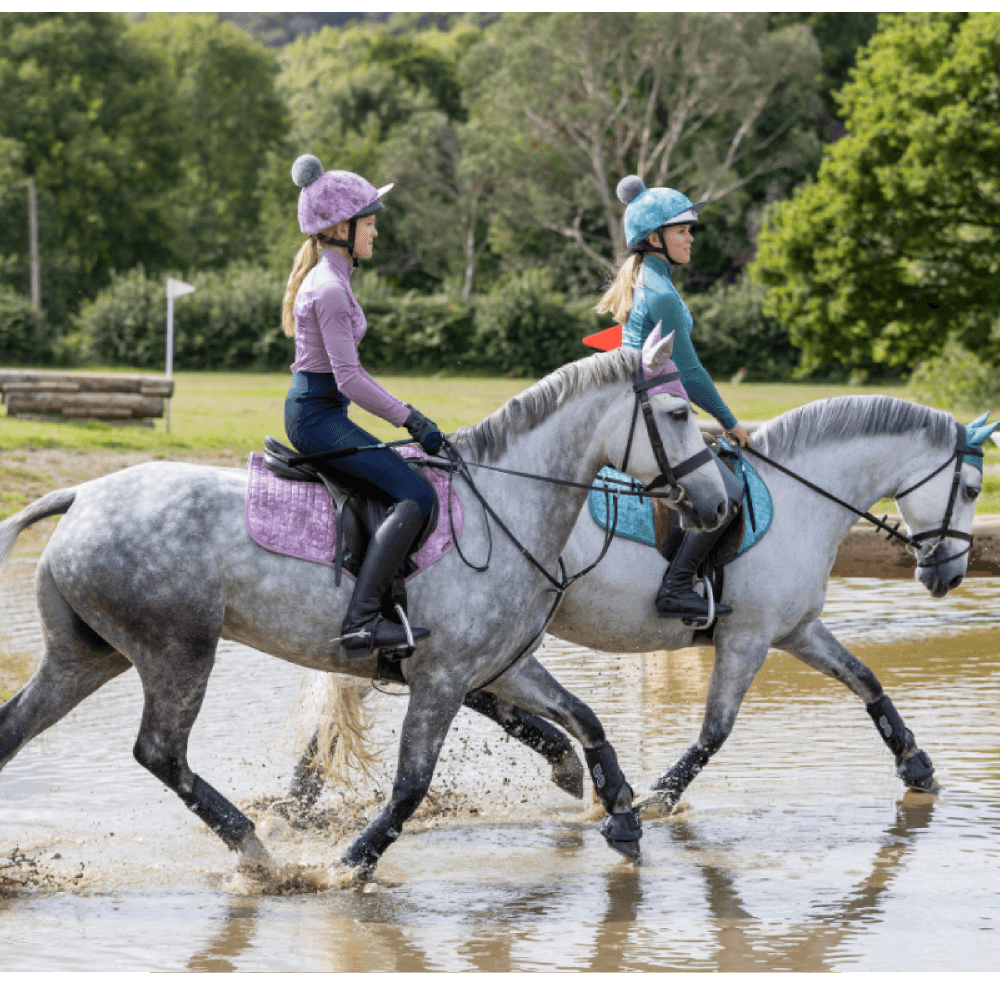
x=490, y=438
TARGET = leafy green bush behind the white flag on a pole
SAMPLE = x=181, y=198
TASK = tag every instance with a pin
x=232, y=321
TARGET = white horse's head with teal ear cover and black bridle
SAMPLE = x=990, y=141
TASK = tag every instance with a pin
x=939, y=508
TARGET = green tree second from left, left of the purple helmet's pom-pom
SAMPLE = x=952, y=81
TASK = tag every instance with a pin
x=232, y=117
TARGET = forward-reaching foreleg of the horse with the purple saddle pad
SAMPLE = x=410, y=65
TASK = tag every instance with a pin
x=530, y=686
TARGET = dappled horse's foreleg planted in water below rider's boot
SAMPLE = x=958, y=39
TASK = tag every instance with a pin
x=429, y=716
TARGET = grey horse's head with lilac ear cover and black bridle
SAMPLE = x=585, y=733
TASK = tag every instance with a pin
x=660, y=444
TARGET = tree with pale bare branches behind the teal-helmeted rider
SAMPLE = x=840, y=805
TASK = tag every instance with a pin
x=707, y=103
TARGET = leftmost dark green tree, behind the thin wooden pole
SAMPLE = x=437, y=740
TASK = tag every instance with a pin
x=89, y=113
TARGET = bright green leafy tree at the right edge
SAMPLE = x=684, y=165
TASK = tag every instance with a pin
x=894, y=246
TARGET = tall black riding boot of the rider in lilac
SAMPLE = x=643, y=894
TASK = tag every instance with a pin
x=364, y=629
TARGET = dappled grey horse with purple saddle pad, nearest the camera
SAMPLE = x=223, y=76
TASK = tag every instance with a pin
x=151, y=566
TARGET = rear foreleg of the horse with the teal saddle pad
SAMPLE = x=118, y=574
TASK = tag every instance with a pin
x=736, y=665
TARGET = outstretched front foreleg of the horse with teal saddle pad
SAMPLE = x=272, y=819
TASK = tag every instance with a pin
x=815, y=646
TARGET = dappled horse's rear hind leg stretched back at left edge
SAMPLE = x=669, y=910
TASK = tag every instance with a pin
x=76, y=662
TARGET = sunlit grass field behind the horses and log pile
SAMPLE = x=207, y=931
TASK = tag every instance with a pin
x=229, y=414
